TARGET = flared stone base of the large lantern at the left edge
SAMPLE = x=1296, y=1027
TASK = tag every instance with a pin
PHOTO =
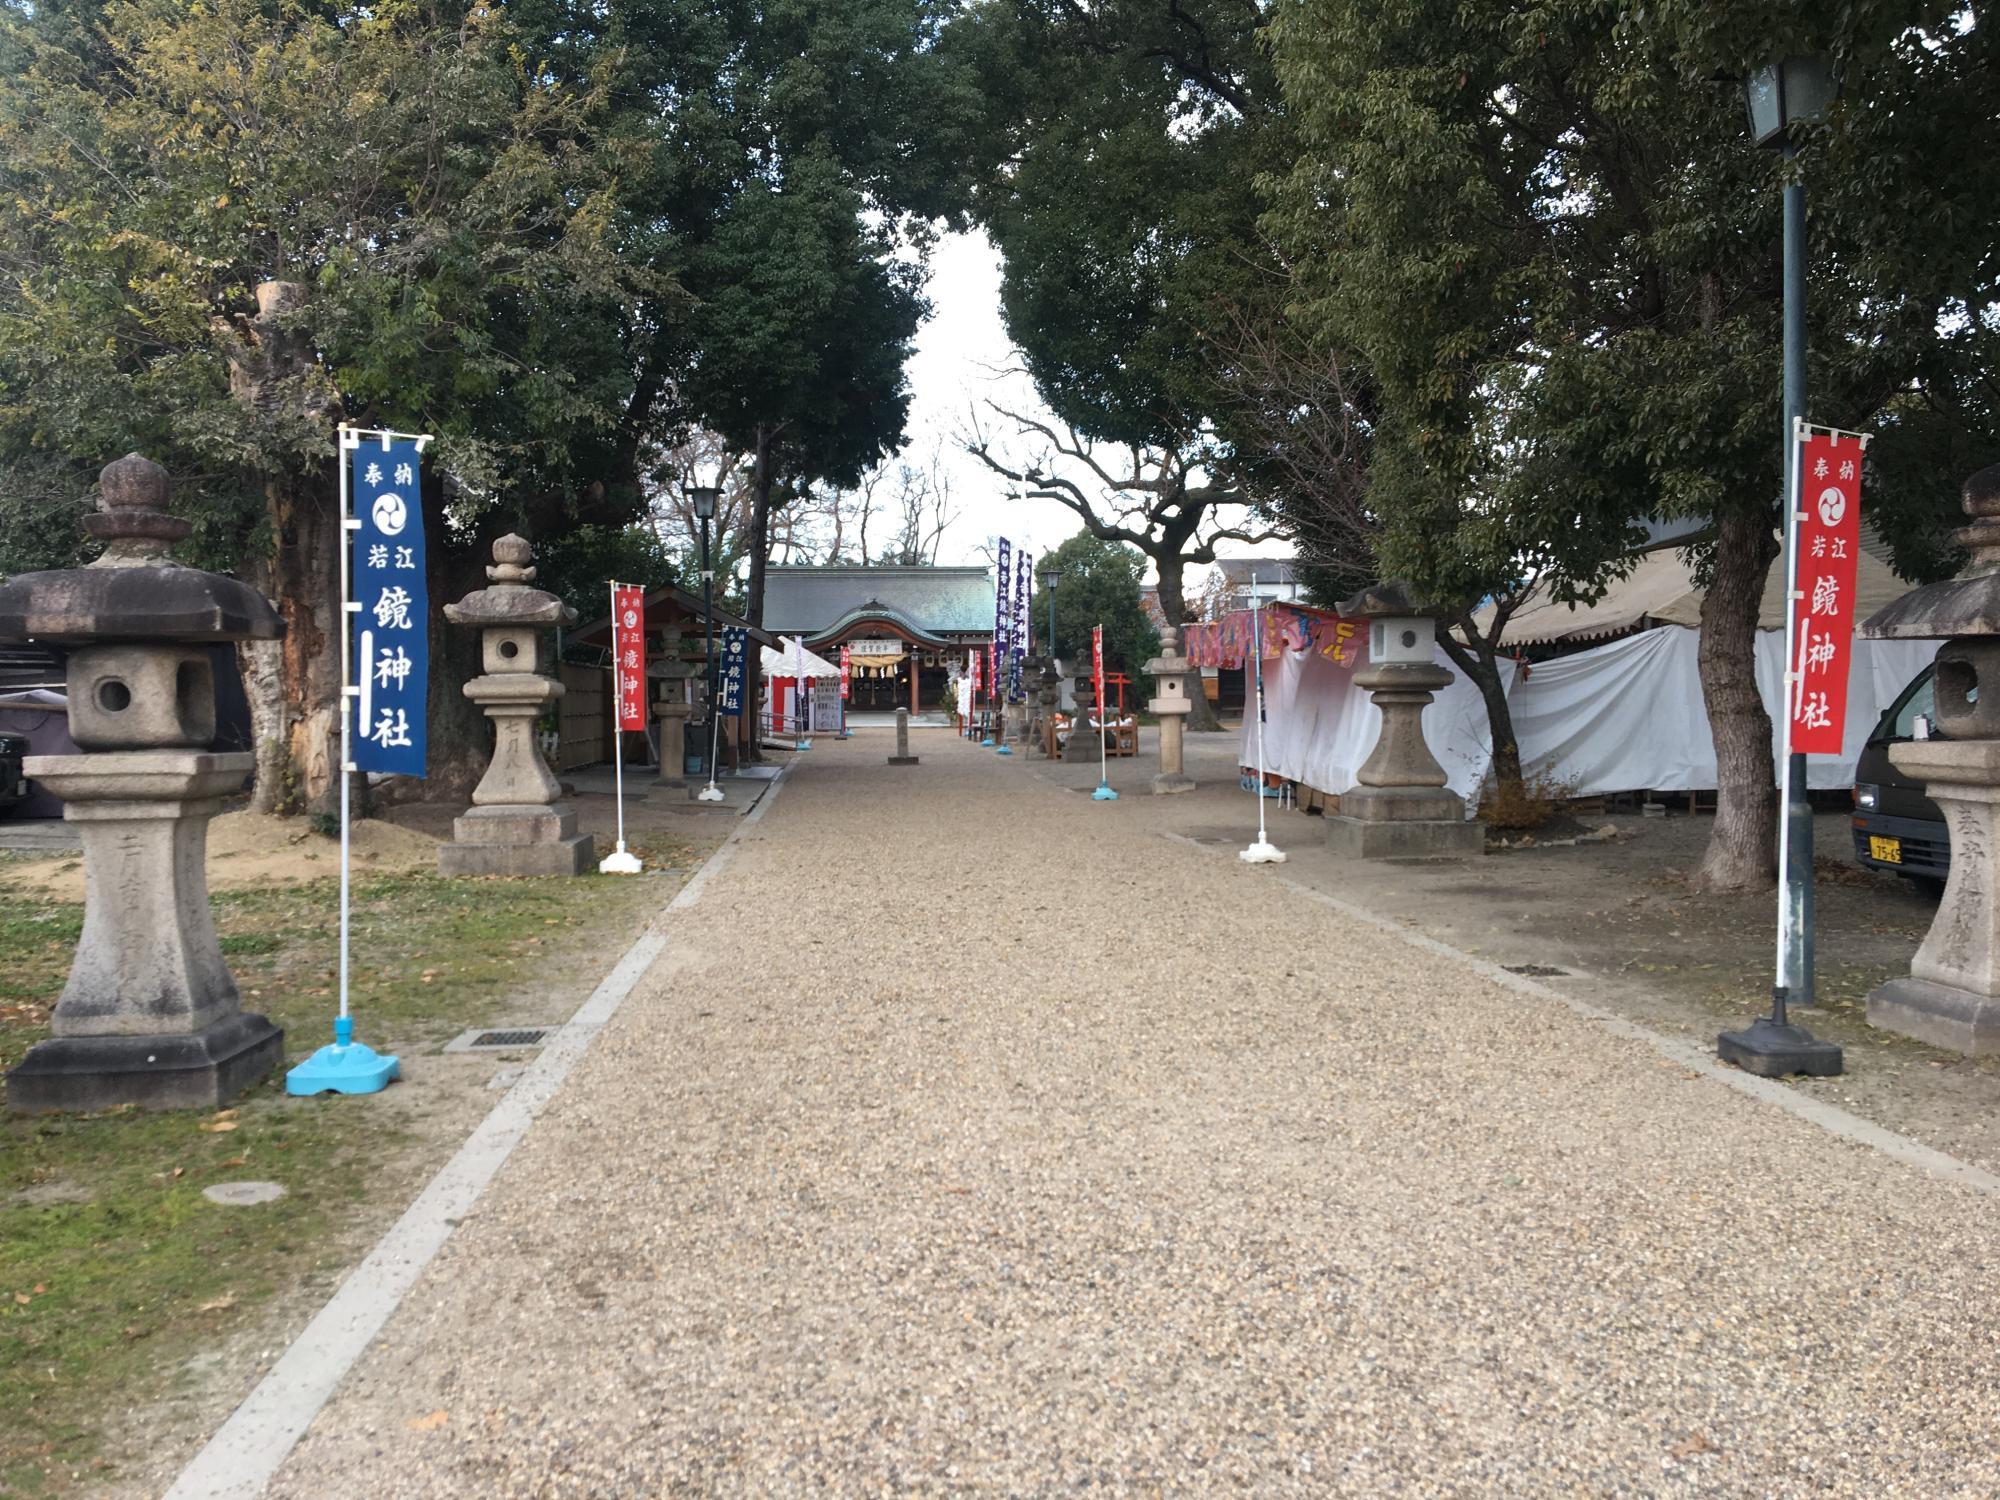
x=151, y=1015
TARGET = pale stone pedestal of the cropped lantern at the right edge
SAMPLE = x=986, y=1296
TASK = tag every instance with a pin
x=1953, y=993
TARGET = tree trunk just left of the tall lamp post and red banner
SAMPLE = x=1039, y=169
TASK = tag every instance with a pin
x=1743, y=847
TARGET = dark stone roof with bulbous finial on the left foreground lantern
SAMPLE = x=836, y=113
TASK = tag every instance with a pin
x=137, y=591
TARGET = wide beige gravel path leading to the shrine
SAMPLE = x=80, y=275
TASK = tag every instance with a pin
x=973, y=1137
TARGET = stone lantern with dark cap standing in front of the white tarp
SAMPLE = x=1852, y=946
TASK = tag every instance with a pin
x=1401, y=805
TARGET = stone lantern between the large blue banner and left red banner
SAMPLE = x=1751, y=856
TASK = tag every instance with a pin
x=515, y=825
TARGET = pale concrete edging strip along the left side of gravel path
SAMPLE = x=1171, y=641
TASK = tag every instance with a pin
x=249, y=1449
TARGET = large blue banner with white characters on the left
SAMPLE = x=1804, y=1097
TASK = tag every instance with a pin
x=393, y=629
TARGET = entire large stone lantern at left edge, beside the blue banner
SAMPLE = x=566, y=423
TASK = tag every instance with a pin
x=151, y=1015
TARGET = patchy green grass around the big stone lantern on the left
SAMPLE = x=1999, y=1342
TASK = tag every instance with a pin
x=113, y=1267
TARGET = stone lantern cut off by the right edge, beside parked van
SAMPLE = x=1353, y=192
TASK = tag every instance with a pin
x=1953, y=991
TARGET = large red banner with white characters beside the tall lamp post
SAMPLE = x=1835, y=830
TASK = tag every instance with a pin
x=1823, y=609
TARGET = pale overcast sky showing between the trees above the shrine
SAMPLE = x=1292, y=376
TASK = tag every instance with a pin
x=963, y=361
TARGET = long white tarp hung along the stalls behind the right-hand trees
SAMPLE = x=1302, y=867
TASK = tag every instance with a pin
x=1615, y=719
